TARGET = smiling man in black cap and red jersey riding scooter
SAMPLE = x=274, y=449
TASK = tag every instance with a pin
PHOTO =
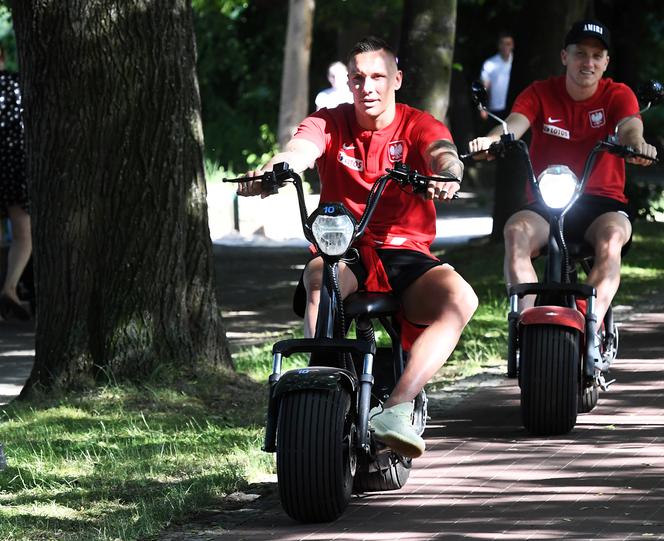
x=567, y=116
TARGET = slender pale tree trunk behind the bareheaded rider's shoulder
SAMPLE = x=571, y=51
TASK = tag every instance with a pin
x=294, y=103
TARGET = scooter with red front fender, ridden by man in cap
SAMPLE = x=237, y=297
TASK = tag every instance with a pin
x=548, y=349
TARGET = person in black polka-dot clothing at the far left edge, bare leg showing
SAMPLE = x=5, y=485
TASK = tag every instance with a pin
x=14, y=202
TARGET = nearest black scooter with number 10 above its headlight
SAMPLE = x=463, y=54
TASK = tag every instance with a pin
x=318, y=416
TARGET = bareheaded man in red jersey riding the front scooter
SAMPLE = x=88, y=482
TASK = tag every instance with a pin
x=352, y=145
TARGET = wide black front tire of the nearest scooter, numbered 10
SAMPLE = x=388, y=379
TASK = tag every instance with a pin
x=314, y=448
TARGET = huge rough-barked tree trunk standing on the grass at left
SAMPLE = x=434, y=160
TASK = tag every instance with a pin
x=123, y=257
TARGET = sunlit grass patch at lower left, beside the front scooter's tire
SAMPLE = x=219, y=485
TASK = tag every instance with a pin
x=123, y=462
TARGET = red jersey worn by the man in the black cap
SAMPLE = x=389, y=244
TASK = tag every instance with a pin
x=564, y=131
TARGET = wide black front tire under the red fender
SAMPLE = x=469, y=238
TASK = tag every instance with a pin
x=549, y=378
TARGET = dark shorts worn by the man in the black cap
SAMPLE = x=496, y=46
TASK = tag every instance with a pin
x=584, y=212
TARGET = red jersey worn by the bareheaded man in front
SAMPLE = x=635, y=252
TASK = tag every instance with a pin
x=353, y=159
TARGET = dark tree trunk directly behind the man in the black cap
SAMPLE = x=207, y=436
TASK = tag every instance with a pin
x=538, y=42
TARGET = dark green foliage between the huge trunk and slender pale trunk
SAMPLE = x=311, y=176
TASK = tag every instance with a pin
x=239, y=71
